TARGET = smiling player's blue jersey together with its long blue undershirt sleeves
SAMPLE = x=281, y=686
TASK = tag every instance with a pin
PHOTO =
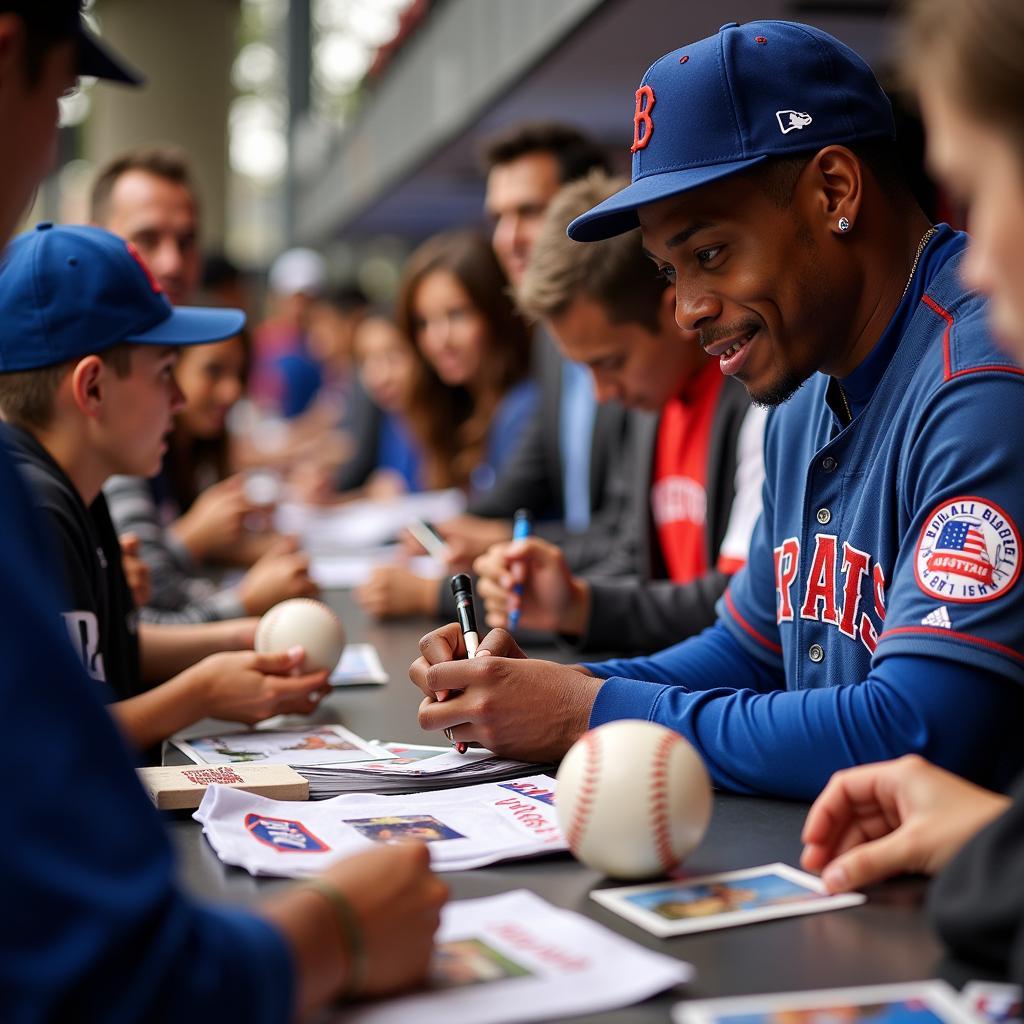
x=881, y=610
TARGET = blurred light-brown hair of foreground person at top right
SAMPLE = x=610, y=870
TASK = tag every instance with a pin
x=977, y=48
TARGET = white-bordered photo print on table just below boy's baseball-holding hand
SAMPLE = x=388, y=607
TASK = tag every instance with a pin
x=307, y=745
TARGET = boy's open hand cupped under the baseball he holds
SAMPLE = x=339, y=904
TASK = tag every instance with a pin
x=244, y=687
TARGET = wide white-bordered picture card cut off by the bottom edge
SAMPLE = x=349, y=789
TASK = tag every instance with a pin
x=917, y=1001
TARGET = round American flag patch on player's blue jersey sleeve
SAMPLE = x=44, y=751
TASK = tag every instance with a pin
x=969, y=551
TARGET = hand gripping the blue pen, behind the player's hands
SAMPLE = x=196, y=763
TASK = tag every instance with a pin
x=552, y=599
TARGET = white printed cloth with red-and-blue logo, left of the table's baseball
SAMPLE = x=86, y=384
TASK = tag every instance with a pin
x=467, y=828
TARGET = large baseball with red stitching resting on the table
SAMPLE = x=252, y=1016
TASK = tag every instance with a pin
x=633, y=799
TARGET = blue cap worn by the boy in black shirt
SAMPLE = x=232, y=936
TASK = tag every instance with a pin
x=68, y=292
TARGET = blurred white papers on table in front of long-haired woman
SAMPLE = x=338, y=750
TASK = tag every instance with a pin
x=361, y=525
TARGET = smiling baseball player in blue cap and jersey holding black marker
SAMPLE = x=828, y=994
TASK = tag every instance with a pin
x=880, y=612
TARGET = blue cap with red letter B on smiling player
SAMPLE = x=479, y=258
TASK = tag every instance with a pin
x=736, y=100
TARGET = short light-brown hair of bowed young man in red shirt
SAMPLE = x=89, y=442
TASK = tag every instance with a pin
x=615, y=273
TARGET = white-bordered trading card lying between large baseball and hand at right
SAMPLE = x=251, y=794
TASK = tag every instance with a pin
x=682, y=906
